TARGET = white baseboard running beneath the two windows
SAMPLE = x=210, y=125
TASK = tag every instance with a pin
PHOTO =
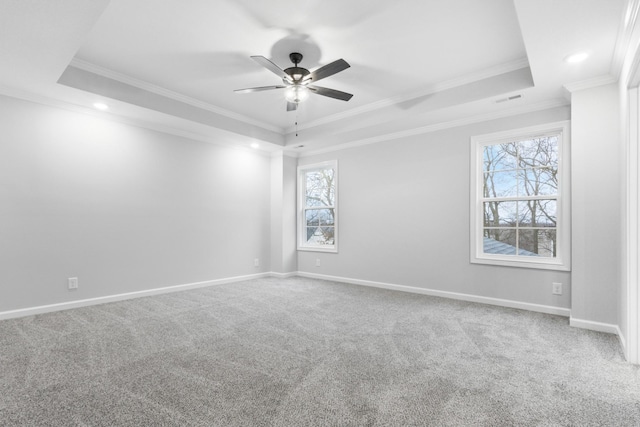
x=559, y=311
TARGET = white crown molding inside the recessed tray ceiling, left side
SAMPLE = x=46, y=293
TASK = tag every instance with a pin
x=123, y=78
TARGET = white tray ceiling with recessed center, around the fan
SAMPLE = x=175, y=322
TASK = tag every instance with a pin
x=173, y=64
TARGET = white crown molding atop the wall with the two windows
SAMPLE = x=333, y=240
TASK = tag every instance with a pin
x=544, y=105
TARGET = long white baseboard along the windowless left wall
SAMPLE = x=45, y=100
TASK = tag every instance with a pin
x=120, y=297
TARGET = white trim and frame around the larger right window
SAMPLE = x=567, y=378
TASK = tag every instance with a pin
x=562, y=261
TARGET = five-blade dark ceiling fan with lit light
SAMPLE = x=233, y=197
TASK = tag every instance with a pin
x=298, y=81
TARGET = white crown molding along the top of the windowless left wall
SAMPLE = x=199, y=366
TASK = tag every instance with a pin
x=80, y=109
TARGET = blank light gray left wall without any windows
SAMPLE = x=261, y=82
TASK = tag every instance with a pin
x=122, y=208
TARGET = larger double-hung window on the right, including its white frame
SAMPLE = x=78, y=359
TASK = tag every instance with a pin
x=519, y=198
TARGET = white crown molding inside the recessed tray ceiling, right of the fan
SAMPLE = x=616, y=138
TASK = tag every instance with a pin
x=439, y=87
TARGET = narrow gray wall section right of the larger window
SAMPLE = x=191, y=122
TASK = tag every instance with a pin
x=597, y=171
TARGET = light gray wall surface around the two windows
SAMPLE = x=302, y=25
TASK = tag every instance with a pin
x=404, y=218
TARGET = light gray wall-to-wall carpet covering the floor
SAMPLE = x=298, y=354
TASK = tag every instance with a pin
x=301, y=352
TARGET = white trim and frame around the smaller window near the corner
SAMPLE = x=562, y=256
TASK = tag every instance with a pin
x=302, y=246
